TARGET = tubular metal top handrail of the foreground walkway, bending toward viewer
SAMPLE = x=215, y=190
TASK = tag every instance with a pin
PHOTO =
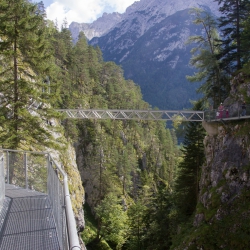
x=70, y=219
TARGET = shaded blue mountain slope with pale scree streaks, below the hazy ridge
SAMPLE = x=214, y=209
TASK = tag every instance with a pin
x=158, y=60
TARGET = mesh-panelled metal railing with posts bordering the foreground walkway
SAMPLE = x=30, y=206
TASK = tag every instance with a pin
x=38, y=171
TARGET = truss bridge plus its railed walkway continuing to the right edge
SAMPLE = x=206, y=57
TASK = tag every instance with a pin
x=230, y=113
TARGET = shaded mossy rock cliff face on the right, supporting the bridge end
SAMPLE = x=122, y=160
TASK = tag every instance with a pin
x=222, y=215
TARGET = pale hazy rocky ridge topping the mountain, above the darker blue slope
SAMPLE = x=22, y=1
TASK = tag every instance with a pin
x=150, y=9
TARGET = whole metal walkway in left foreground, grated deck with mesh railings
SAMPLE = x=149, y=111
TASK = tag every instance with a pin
x=36, y=212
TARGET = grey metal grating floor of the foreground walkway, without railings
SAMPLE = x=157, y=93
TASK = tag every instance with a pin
x=26, y=221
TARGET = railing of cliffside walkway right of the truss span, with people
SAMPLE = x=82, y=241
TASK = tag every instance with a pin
x=231, y=112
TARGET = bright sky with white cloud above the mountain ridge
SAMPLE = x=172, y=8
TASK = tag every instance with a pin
x=82, y=11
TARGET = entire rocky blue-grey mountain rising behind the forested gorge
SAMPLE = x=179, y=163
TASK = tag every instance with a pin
x=149, y=42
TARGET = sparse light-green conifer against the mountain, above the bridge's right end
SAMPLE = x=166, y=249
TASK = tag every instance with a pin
x=215, y=85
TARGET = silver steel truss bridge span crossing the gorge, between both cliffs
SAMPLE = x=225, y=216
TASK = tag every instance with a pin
x=116, y=114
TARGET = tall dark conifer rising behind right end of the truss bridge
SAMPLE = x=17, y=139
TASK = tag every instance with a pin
x=186, y=186
